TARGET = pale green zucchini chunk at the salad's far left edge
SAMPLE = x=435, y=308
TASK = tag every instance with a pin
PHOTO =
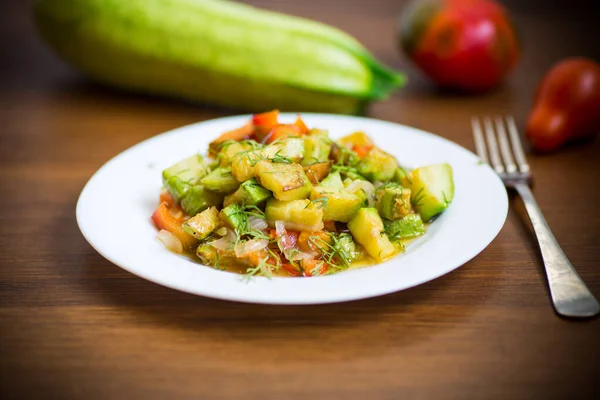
x=178, y=178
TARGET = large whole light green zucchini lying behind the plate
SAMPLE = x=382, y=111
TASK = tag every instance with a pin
x=217, y=52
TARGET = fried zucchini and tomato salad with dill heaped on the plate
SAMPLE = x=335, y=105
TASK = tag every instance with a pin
x=276, y=199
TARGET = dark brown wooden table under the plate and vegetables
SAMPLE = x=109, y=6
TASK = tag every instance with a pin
x=74, y=326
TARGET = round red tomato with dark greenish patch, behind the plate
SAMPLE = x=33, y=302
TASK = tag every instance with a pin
x=468, y=45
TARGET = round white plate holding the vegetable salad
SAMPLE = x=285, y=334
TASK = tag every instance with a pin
x=113, y=213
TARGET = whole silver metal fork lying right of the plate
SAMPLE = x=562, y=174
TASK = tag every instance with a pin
x=570, y=296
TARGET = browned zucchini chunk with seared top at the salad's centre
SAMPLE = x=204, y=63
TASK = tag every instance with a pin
x=286, y=181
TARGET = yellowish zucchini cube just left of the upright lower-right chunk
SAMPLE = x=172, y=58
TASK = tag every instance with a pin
x=340, y=205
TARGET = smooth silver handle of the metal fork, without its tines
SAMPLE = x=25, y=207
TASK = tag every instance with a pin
x=570, y=296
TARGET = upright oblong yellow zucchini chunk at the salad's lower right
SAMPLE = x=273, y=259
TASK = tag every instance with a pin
x=367, y=229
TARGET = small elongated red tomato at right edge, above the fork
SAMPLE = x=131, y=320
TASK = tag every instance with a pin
x=567, y=105
